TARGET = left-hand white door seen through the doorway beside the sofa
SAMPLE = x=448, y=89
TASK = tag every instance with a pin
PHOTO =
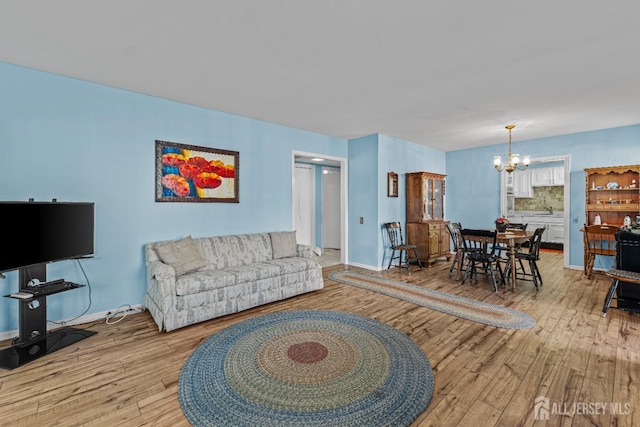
x=304, y=204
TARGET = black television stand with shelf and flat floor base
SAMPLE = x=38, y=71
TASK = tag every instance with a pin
x=33, y=340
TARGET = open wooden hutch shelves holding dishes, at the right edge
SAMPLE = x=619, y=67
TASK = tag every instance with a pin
x=611, y=194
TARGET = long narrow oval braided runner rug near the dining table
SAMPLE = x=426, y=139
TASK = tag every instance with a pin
x=466, y=308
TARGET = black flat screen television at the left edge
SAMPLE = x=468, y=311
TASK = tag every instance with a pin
x=43, y=232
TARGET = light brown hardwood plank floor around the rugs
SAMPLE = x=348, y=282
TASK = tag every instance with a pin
x=127, y=374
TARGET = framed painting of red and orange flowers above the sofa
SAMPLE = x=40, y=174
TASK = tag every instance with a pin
x=188, y=173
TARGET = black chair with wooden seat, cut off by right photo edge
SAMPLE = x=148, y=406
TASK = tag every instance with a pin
x=625, y=276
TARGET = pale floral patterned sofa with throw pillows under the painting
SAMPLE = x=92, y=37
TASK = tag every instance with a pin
x=192, y=280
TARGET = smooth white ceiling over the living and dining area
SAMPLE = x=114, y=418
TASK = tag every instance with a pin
x=445, y=74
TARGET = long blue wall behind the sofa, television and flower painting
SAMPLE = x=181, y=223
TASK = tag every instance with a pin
x=77, y=141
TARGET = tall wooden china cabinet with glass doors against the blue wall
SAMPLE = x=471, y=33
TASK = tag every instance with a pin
x=426, y=227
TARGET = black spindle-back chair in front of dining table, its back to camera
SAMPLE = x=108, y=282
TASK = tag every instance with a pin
x=480, y=250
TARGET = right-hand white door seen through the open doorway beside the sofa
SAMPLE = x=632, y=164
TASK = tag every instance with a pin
x=331, y=208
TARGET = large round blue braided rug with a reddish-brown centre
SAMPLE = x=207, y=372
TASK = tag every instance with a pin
x=306, y=368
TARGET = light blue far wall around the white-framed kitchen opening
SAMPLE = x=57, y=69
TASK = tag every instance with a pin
x=473, y=186
